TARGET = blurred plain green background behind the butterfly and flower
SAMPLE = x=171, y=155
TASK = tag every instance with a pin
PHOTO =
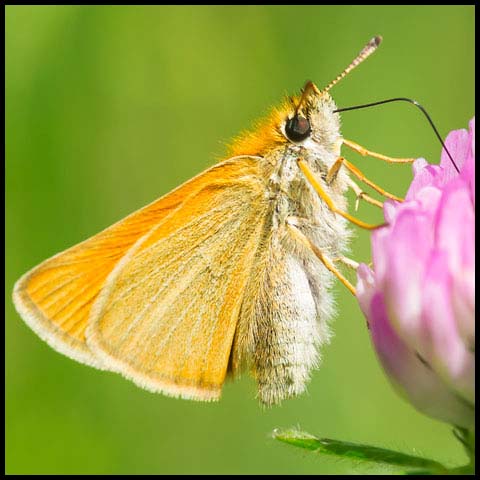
x=107, y=108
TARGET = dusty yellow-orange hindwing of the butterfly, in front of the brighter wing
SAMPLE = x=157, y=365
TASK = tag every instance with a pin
x=167, y=315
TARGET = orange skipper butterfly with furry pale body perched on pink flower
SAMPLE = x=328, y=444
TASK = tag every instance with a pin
x=221, y=274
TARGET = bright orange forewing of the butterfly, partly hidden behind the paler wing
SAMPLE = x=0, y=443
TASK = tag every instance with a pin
x=56, y=297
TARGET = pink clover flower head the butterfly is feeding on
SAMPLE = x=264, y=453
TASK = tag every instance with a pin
x=419, y=299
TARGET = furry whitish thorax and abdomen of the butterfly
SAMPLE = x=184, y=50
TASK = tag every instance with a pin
x=281, y=327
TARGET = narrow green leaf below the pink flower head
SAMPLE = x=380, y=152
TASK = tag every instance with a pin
x=358, y=452
